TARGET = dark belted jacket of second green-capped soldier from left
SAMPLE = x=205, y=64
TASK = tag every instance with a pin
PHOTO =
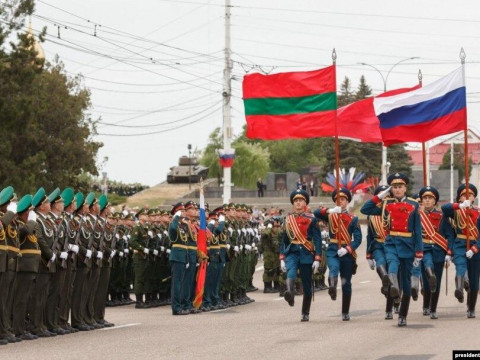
x=29, y=261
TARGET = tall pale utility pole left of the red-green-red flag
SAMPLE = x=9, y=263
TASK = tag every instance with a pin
x=227, y=92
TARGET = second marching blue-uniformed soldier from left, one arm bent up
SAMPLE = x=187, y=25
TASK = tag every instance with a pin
x=341, y=256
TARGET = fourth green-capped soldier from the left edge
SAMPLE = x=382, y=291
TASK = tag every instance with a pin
x=58, y=278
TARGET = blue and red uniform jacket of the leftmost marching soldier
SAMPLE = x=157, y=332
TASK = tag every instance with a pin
x=308, y=225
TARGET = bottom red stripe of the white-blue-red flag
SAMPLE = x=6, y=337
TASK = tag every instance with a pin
x=427, y=130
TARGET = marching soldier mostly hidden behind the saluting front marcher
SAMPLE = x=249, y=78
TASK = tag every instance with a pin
x=376, y=235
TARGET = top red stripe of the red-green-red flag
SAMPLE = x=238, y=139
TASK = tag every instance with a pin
x=289, y=84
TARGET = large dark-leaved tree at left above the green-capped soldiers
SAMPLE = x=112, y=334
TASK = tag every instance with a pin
x=46, y=138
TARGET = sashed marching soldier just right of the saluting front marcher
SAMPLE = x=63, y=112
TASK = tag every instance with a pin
x=437, y=235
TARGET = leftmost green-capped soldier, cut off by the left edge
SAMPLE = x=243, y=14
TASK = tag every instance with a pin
x=8, y=238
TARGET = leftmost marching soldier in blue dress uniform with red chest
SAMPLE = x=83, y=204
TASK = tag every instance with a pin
x=300, y=249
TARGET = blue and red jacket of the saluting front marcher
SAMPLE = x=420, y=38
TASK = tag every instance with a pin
x=402, y=222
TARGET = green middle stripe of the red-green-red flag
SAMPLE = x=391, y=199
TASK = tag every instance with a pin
x=291, y=105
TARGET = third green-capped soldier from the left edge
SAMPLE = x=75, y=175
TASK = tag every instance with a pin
x=45, y=233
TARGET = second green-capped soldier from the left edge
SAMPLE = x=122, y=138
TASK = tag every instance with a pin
x=27, y=266
